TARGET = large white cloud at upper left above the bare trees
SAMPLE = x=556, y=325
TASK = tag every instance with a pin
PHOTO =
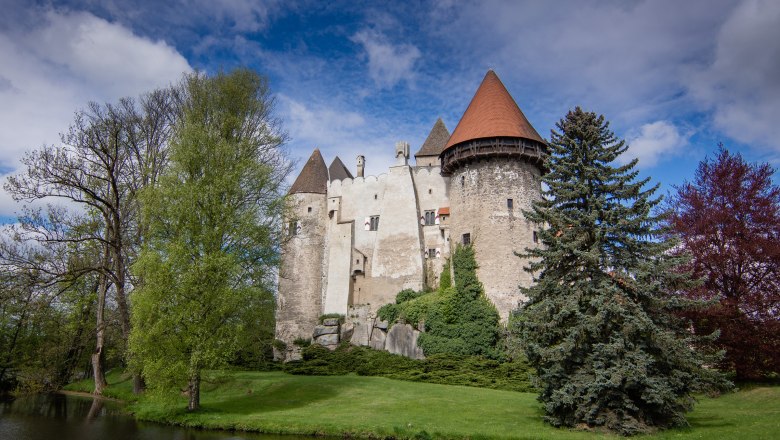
x=55, y=68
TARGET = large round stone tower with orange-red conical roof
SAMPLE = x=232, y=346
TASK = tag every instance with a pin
x=495, y=161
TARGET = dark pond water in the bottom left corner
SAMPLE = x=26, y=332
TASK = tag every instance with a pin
x=60, y=417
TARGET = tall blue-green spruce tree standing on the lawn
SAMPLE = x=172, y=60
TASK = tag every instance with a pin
x=600, y=325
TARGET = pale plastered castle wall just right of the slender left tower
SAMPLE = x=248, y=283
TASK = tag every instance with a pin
x=383, y=261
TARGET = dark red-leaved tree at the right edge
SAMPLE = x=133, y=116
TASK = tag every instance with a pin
x=728, y=219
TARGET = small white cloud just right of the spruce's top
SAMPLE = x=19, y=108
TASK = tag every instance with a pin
x=653, y=142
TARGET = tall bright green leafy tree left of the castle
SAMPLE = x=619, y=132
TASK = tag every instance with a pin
x=213, y=228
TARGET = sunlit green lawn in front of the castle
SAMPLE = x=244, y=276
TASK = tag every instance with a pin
x=276, y=402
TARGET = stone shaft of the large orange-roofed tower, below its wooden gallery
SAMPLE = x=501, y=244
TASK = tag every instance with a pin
x=479, y=194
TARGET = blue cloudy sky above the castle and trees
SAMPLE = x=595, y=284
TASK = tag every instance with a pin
x=674, y=78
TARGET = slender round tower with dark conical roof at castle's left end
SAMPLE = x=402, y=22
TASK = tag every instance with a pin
x=299, y=301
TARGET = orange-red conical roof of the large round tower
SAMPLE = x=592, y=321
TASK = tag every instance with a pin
x=492, y=113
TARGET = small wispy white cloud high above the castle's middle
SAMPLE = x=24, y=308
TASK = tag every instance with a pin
x=388, y=63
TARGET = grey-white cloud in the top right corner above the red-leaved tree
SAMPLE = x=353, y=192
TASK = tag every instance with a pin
x=742, y=84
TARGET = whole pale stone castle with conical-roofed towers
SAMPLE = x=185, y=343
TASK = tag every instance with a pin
x=356, y=241
